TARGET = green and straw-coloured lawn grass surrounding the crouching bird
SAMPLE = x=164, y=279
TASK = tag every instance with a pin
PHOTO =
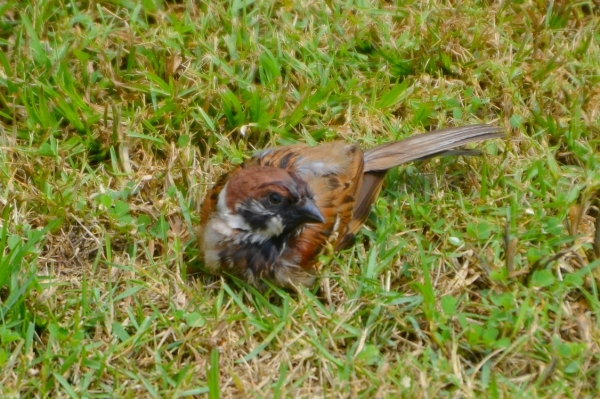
x=473, y=277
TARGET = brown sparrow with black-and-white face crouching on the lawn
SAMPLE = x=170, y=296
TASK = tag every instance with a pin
x=269, y=218
